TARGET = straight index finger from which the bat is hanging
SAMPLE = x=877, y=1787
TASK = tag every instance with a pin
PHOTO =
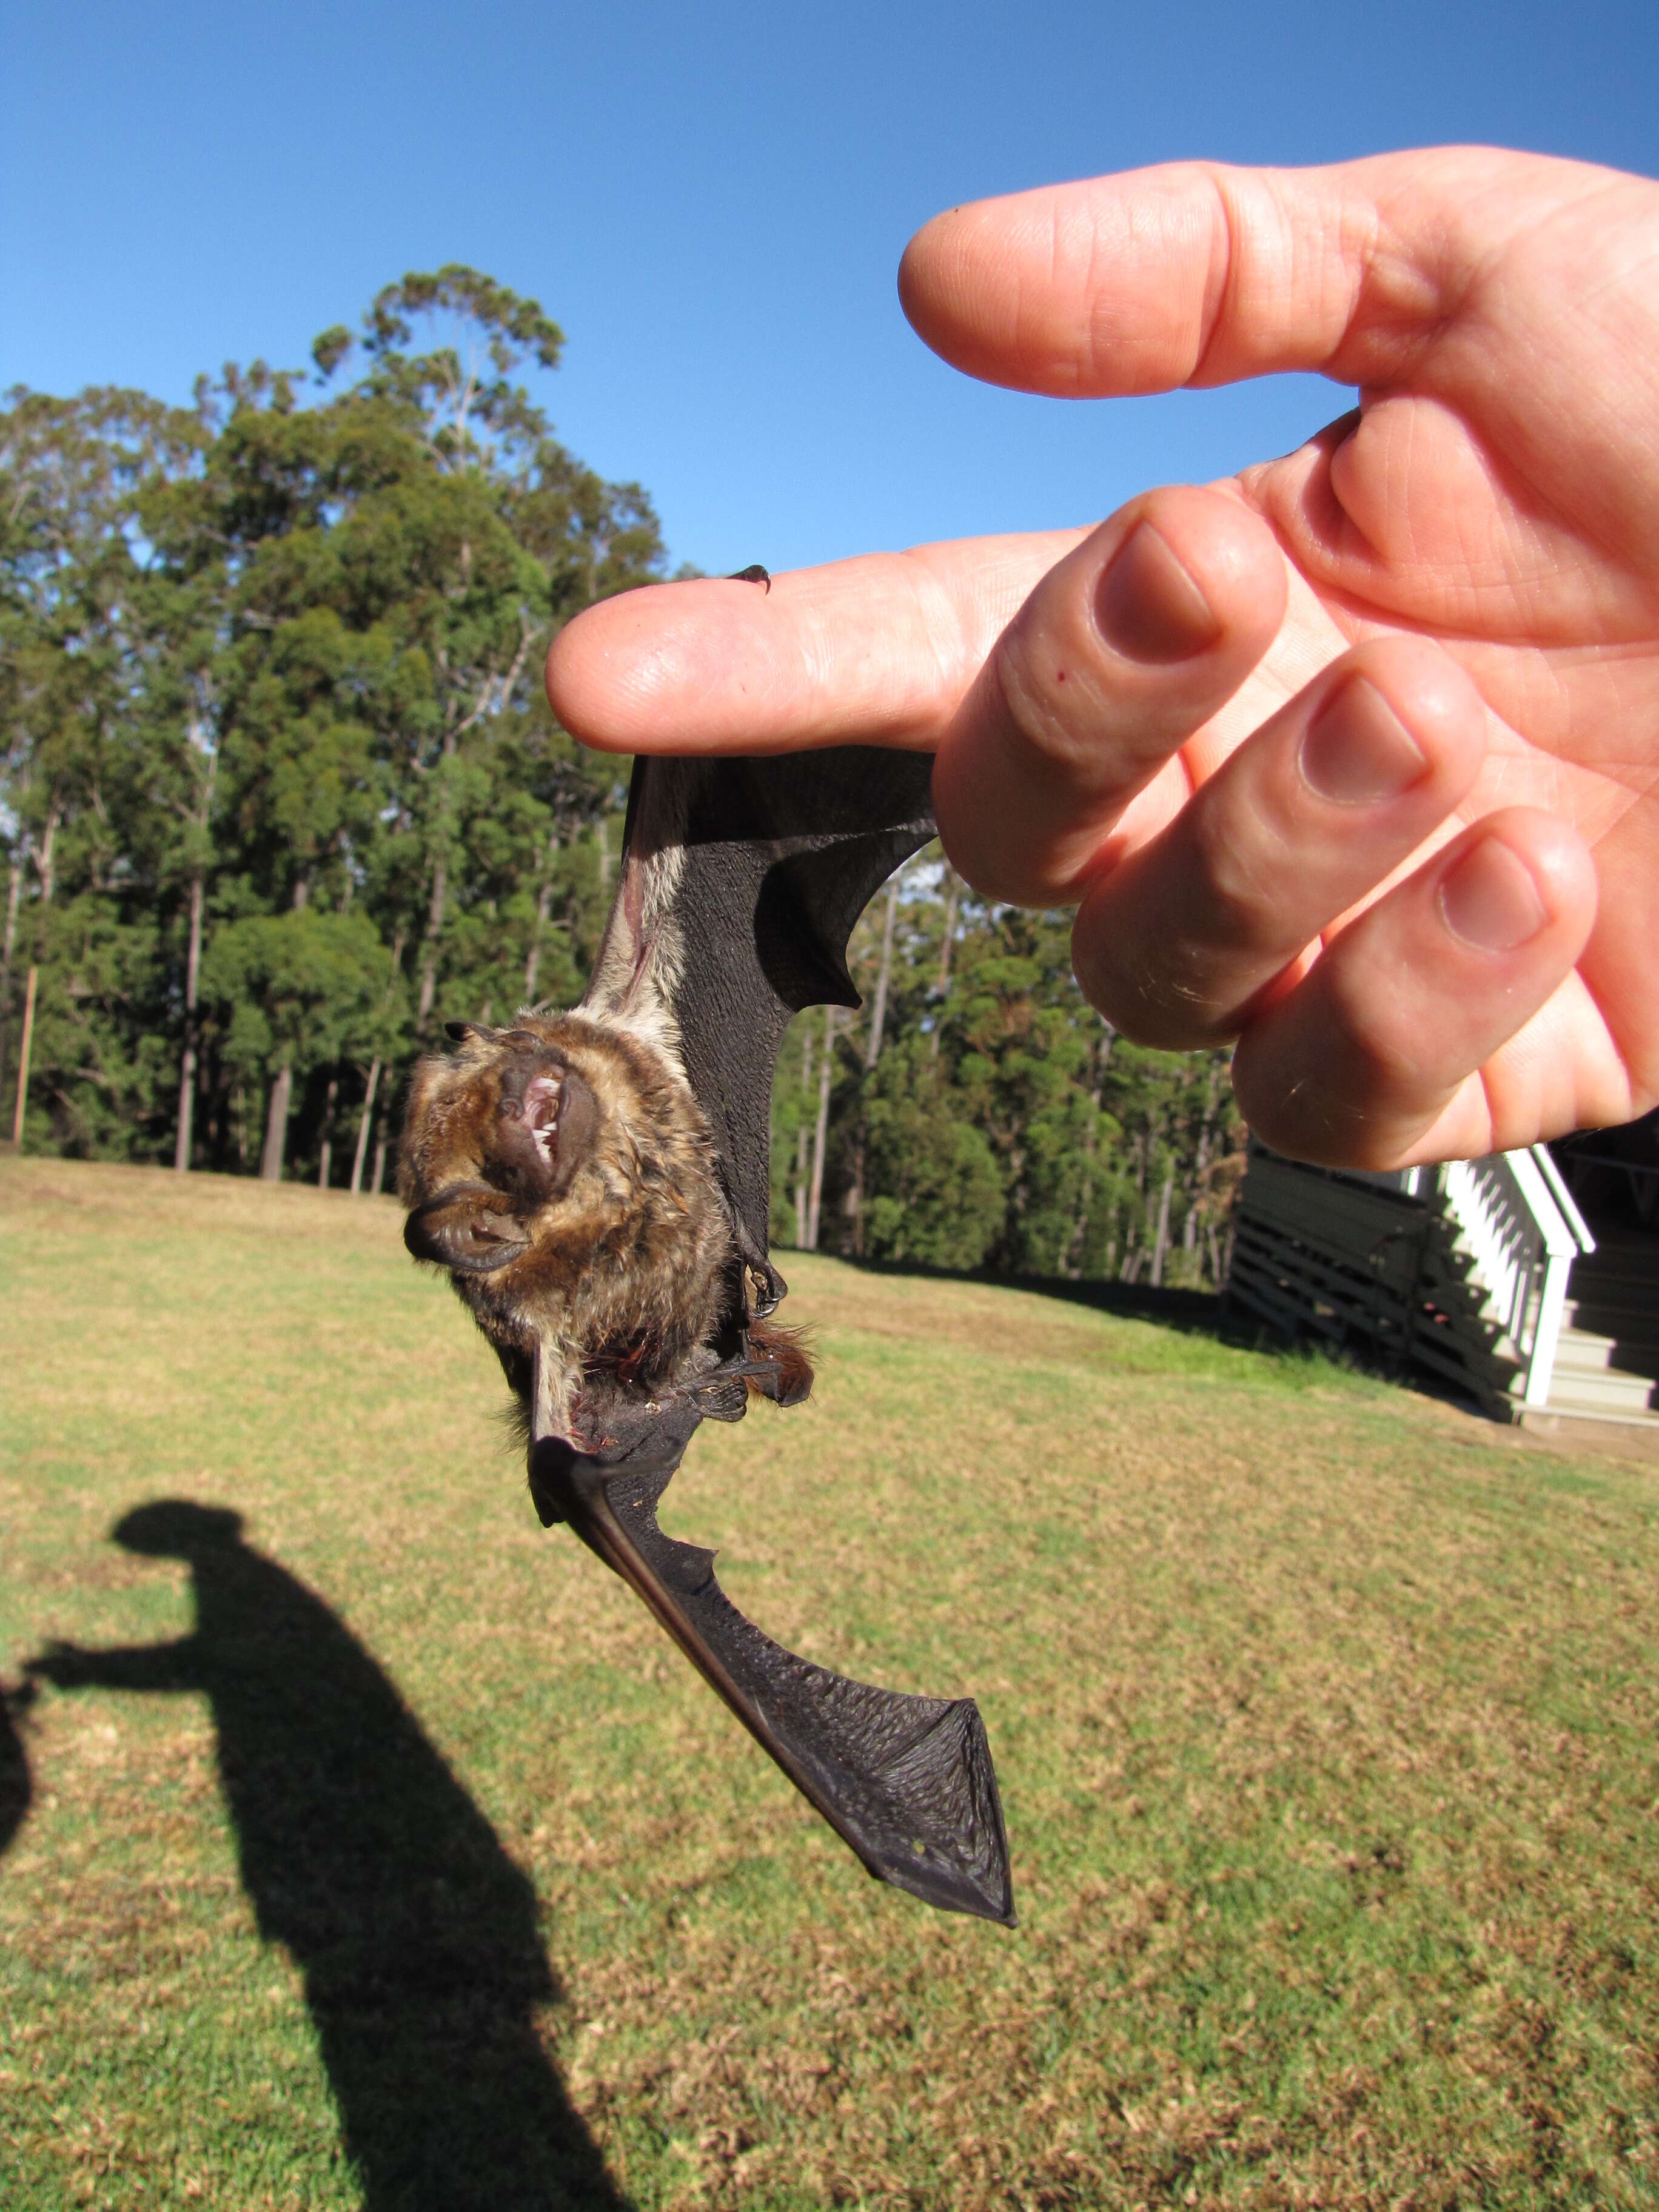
x=862, y=651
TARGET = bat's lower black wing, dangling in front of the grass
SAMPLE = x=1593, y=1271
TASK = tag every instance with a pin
x=906, y=1782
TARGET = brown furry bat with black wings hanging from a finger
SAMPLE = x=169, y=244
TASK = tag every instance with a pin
x=596, y=1182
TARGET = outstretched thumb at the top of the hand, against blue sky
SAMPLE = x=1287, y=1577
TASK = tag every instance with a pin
x=1196, y=273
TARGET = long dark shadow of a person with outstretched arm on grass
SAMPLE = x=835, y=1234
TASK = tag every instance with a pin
x=371, y=1864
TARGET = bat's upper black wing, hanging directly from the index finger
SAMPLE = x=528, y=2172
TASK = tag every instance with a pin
x=740, y=888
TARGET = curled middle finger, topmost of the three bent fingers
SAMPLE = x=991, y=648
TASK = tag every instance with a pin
x=1120, y=654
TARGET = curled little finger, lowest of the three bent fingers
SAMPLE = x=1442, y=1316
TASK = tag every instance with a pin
x=1410, y=1025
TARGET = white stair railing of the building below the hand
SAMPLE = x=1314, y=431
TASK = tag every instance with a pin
x=1525, y=1233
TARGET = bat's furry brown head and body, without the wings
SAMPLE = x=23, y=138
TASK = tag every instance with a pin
x=563, y=1173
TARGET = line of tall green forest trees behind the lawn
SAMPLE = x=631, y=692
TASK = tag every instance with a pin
x=282, y=795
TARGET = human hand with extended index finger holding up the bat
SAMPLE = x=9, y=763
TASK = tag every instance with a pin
x=1355, y=758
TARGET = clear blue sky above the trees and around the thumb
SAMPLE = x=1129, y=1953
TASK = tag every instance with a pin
x=713, y=200
